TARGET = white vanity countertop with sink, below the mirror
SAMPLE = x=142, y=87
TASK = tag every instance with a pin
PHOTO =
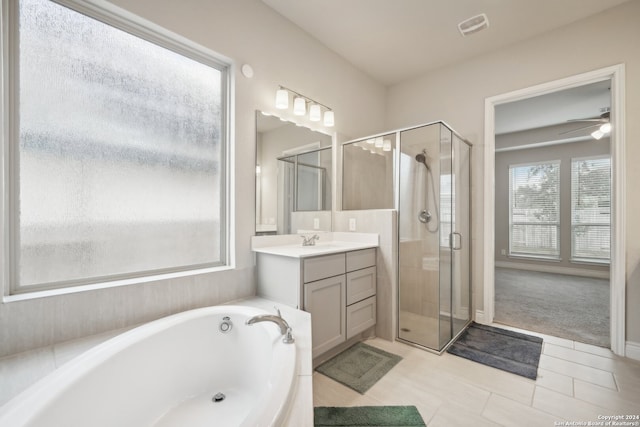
x=290, y=245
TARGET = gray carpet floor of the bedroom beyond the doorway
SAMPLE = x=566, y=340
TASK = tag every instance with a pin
x=571, y=307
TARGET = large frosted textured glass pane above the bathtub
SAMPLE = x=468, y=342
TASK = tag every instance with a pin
x=120, y=147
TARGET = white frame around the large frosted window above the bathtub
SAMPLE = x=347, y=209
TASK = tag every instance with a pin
x=121, y=19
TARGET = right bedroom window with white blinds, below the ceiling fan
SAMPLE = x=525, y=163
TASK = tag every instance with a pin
x=591, y=209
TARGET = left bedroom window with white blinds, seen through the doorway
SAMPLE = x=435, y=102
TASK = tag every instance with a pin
x=534, y=210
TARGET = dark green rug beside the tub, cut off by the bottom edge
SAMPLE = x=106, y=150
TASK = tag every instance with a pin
x=361, y=416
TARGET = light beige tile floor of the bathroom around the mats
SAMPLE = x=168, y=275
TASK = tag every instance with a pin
x=576, y=382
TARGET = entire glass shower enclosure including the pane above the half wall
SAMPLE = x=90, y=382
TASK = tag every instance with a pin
x=424, y=173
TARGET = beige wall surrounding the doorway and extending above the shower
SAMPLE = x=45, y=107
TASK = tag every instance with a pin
x=456, y=95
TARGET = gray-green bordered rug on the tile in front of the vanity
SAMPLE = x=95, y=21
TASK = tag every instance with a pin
x=359, y=367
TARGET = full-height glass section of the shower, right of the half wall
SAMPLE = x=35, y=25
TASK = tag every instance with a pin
x=433, y=250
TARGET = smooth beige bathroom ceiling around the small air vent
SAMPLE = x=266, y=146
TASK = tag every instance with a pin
x=396, y=40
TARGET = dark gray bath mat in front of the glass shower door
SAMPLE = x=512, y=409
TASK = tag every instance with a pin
x=499, y=348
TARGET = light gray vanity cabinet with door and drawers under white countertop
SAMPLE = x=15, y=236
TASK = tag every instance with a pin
x=338, y=289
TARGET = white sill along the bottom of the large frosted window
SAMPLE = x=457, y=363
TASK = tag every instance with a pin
x=112, y=284
